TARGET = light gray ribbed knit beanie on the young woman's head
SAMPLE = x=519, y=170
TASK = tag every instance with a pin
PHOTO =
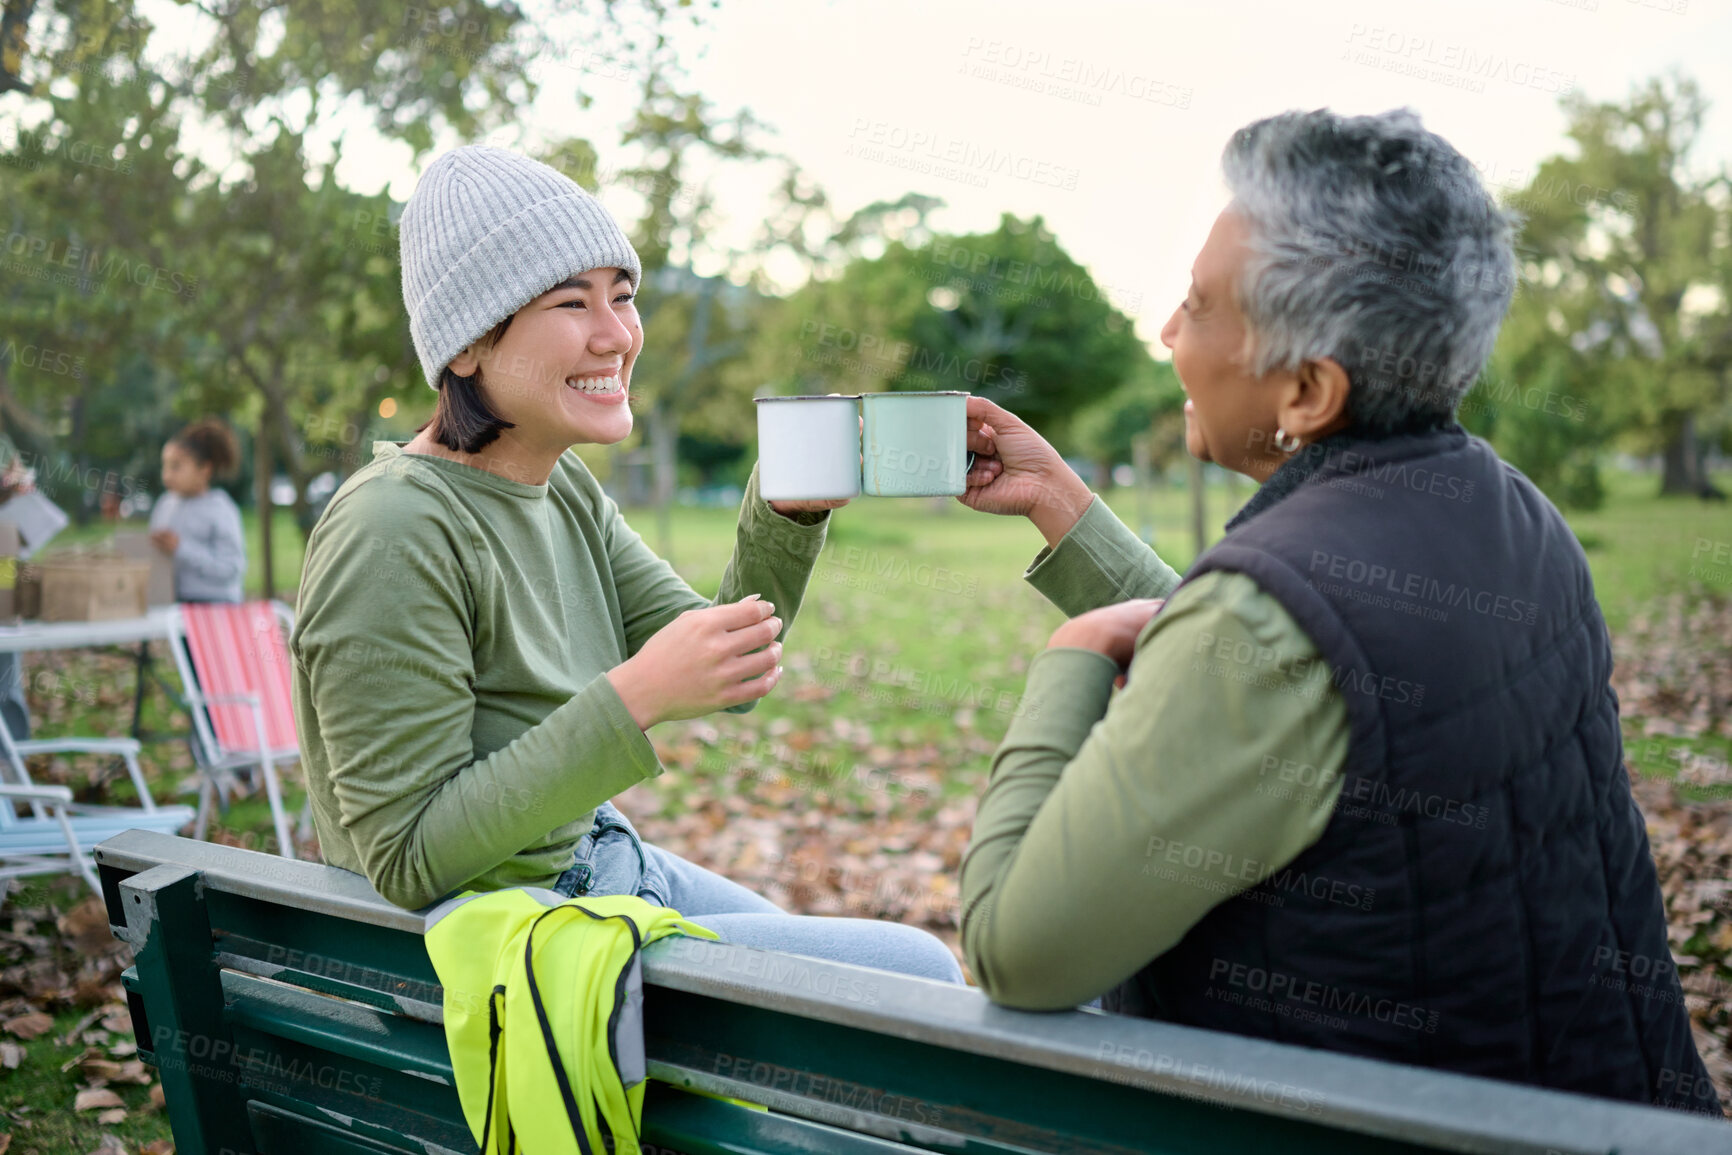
x=484, y=235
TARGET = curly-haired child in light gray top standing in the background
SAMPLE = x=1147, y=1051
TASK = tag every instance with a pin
x=200, y=526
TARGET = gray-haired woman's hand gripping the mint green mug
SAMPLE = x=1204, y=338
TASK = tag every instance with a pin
x=1019, y=474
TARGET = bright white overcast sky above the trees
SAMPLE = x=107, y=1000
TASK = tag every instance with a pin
x=1108, y=119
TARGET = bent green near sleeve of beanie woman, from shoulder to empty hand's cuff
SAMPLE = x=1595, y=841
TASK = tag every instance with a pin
x=387, y=621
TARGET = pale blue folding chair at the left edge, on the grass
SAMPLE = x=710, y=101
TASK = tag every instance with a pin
x=58, y=834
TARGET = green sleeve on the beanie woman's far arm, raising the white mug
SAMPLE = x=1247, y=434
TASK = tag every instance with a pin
x=773, y=557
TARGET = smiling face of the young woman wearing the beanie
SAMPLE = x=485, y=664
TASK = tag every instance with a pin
x=562, y=371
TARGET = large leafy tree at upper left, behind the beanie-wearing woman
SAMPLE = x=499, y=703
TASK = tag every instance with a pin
x=276, y=316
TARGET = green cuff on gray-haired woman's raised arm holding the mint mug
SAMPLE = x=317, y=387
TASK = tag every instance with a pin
x=1099, y=564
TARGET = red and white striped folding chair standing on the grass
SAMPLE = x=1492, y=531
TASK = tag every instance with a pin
x=235, y=666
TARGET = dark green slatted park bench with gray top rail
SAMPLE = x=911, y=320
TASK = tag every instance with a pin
x=290, y=1010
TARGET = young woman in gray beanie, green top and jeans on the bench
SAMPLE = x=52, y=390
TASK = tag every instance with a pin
x=482, y=642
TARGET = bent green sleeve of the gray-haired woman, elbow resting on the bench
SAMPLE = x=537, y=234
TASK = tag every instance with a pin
x=1113, y=825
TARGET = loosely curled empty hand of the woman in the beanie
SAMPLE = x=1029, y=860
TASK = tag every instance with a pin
x=702, y=662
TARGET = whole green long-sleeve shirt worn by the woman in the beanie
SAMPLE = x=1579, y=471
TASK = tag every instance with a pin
x=451, y=652
